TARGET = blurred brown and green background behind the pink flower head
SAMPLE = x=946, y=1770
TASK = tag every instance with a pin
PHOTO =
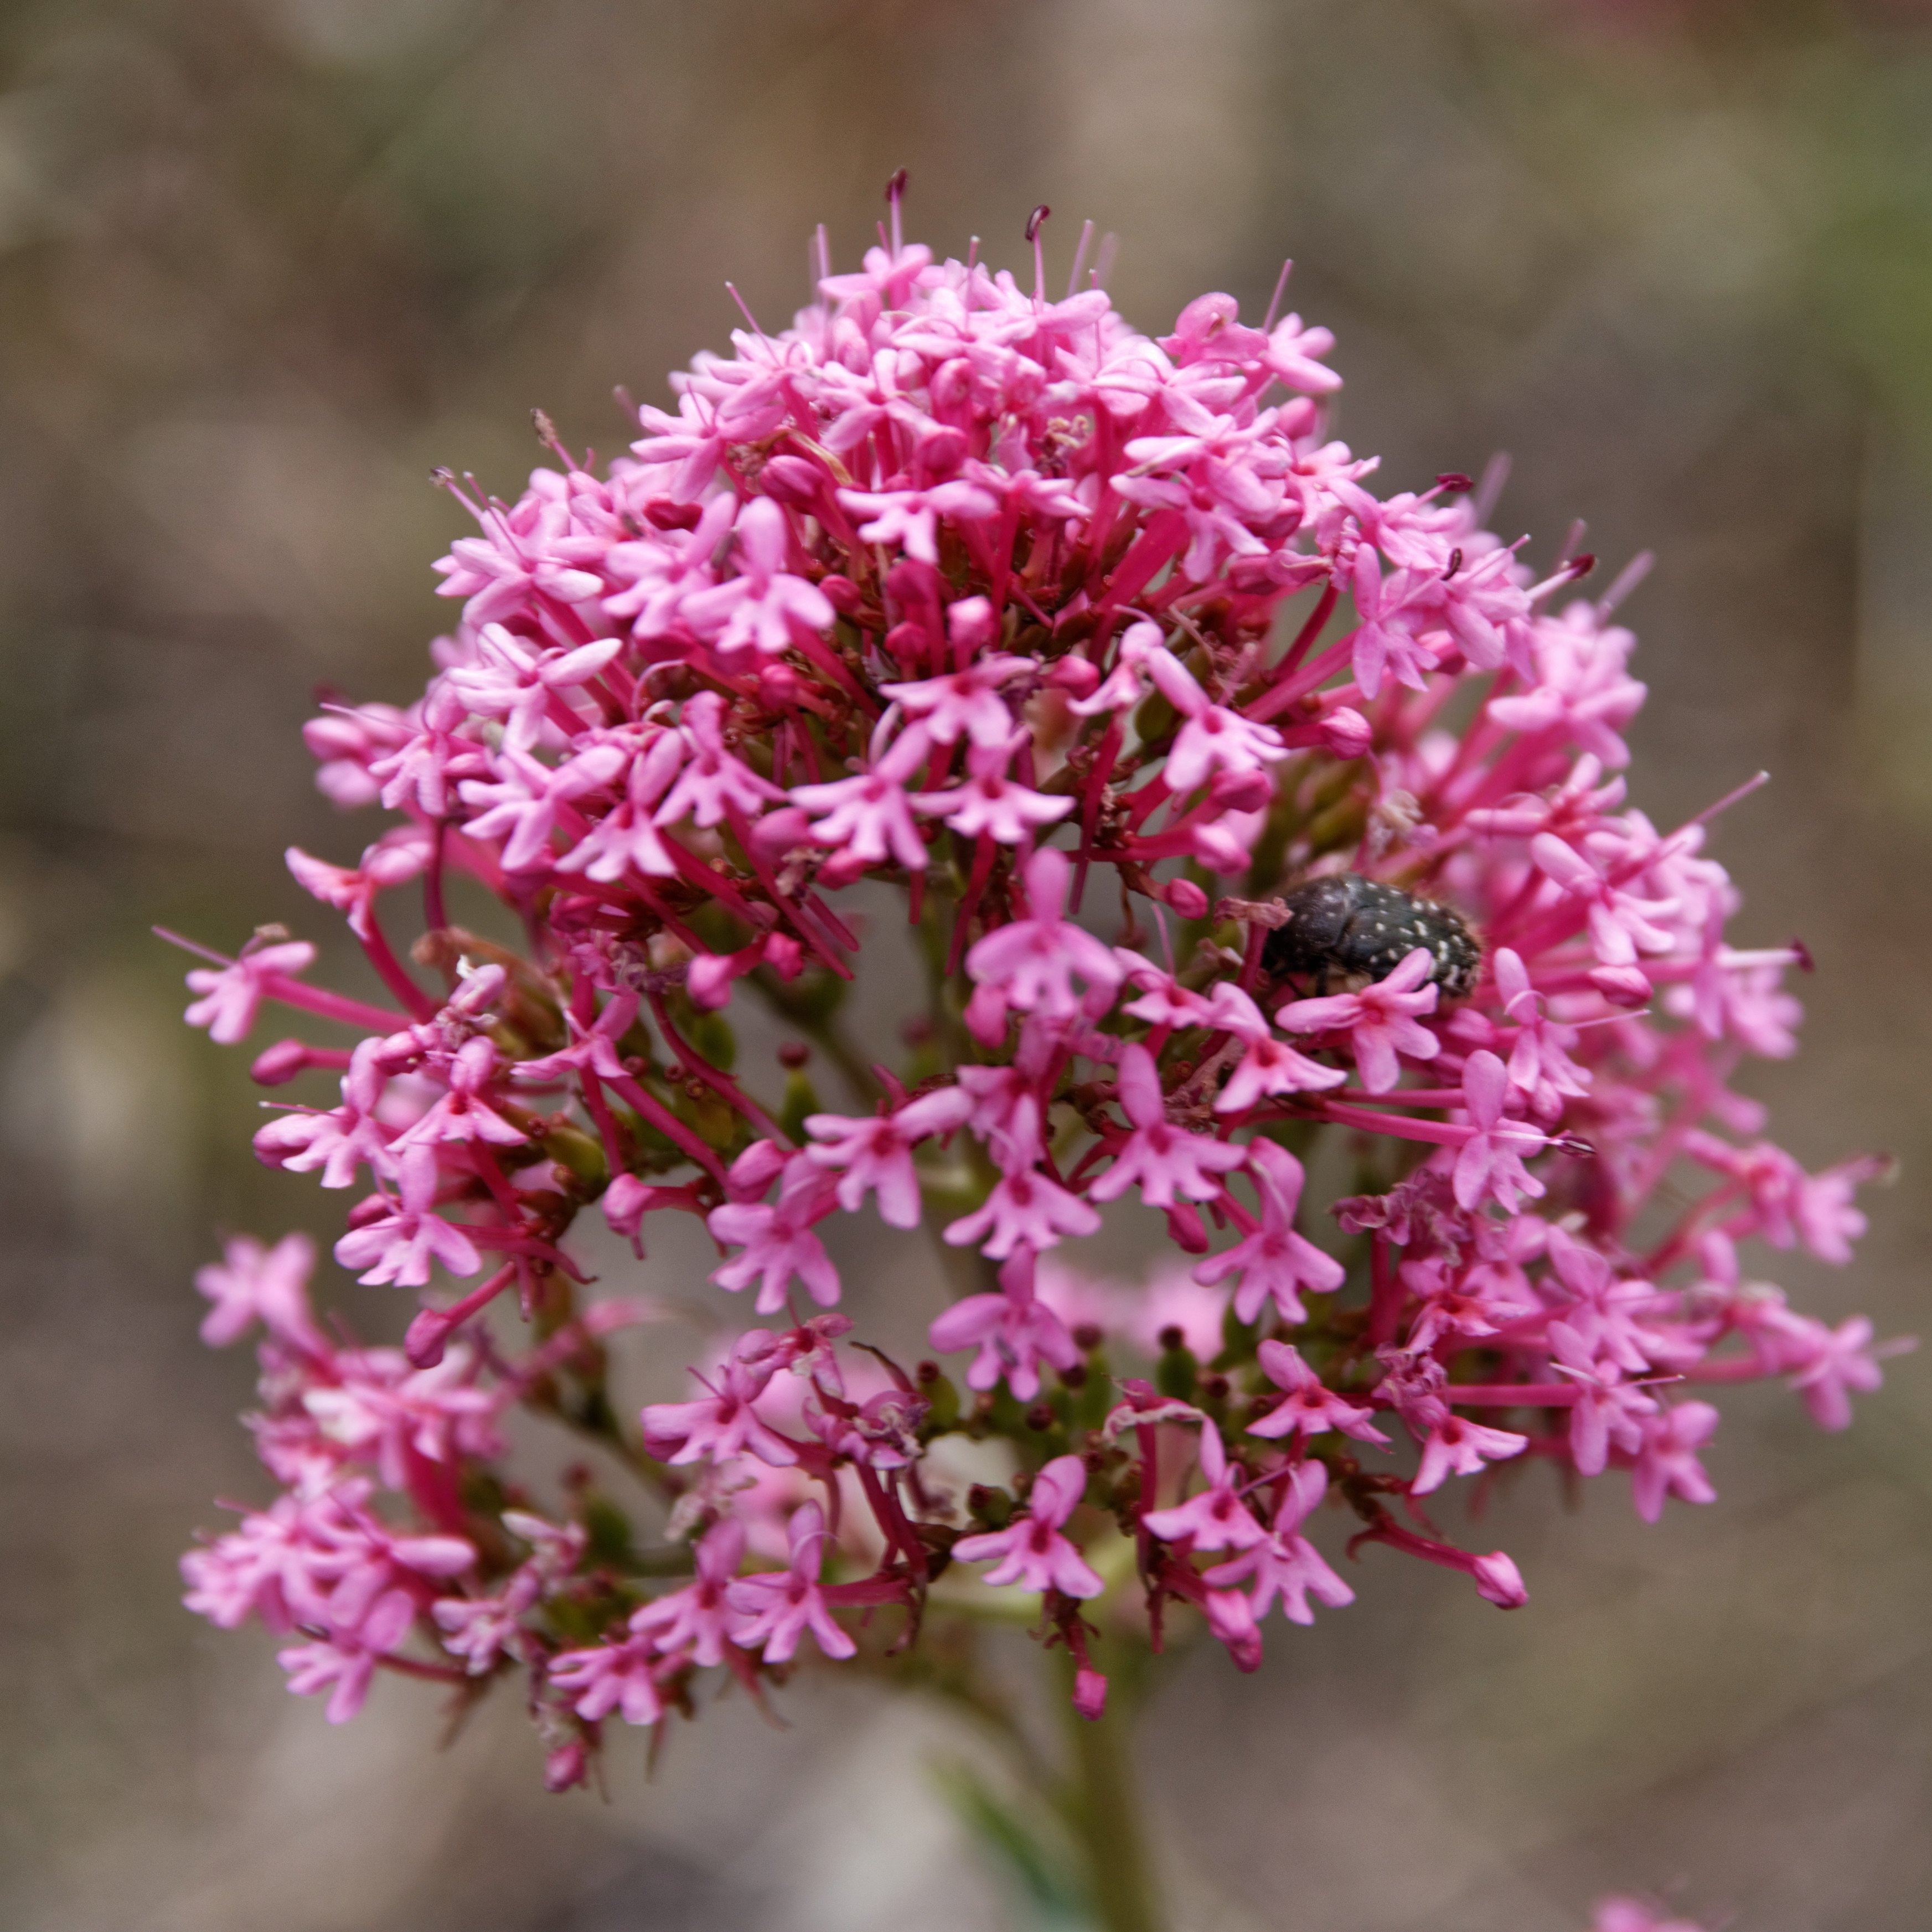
x=264, y=264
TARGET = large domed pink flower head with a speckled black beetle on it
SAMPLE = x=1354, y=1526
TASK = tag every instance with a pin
x=1249, y=824
